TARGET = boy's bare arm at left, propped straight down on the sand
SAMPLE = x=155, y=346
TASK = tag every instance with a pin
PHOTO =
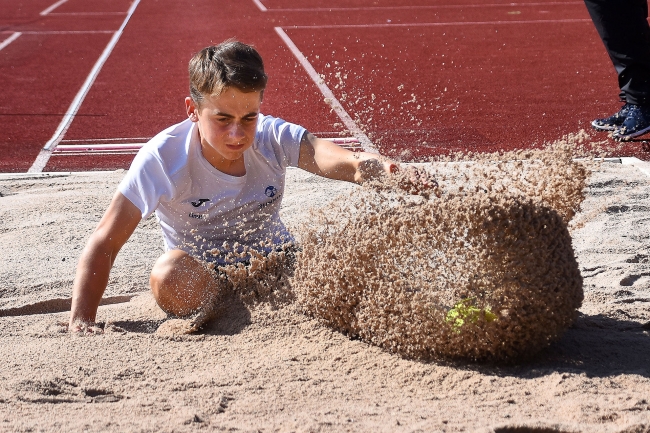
x=112, y=232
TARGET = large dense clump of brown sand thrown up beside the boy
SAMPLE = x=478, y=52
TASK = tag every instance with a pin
x=485, y=271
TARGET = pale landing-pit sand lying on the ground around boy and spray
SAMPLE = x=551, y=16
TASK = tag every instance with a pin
x=276, y=370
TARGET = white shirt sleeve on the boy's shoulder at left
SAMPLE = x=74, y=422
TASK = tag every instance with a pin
x=146, y=183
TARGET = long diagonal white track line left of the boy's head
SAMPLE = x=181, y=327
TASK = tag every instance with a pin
x=45, y=153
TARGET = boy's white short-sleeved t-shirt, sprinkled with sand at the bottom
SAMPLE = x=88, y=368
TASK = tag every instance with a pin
x=198, y=207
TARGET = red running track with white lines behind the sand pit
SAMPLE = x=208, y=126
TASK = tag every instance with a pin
x=91, y=80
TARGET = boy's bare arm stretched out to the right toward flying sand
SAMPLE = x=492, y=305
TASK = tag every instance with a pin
x=324, y=158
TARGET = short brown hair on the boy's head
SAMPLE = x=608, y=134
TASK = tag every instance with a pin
x=229, y=64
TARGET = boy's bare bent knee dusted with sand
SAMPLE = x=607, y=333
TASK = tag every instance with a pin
x=180, y=283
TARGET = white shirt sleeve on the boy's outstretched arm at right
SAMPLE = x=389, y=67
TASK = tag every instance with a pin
x=284, y=138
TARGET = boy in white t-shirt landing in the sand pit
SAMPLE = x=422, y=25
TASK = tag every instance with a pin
x=216, y=177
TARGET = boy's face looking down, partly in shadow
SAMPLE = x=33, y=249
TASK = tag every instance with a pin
x=226, y=122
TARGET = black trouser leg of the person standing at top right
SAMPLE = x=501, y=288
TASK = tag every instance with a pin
x=624, y=30
